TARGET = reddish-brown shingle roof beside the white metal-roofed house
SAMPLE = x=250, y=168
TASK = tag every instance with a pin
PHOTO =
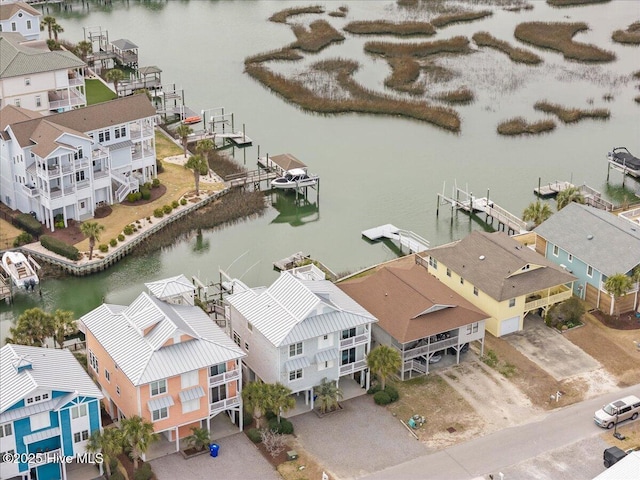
x=399, y=296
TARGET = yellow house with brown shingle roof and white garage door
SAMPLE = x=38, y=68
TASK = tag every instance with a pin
x=501, y=277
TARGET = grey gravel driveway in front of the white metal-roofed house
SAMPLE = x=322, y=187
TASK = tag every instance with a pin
x=361, y=439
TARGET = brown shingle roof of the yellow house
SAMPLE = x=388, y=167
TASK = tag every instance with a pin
x=491, y=262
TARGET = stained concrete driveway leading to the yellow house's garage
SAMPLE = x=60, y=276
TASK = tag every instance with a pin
x=550, y=350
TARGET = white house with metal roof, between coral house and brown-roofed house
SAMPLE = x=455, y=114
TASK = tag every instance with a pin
x=299, y=331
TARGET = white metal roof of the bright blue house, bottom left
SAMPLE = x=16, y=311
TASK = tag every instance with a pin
x=51, y=369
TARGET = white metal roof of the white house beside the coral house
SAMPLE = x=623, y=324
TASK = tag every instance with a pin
x=281, y=311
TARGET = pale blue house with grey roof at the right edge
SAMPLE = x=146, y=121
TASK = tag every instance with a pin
x=592, y=245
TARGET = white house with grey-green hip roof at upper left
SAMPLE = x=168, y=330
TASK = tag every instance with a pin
x=34, y=77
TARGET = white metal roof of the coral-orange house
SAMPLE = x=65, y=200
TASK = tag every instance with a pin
x=147, y=339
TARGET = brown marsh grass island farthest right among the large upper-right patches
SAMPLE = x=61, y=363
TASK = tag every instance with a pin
x=559, y=37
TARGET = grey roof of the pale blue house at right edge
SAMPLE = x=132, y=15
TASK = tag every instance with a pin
x=608, y=243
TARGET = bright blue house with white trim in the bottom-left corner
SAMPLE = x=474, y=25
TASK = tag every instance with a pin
x=49, y=406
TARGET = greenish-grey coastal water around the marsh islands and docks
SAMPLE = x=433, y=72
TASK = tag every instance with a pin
x=374, y=170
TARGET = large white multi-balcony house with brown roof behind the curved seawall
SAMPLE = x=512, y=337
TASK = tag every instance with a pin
x=64, y=166
